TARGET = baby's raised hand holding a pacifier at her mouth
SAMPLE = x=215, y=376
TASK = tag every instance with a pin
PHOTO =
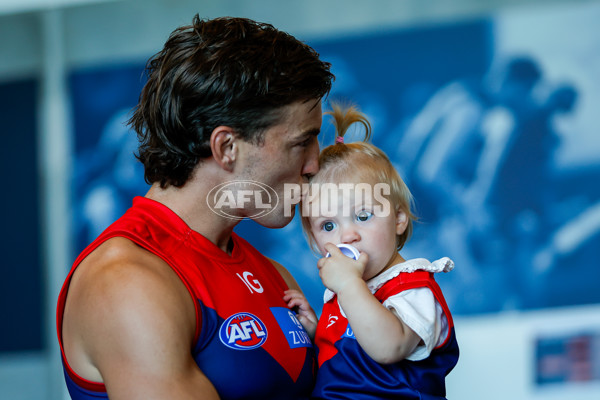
x=338, y=270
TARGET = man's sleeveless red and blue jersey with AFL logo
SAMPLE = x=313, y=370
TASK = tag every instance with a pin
x=248, y=343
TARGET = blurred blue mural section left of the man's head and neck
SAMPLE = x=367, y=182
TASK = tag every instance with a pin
x=107, y=175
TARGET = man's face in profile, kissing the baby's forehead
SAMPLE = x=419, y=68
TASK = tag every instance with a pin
x=288, y=155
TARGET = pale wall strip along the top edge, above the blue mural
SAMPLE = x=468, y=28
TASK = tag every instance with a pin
x=104, y=31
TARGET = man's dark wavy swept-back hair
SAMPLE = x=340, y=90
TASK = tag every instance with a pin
x=222, y=72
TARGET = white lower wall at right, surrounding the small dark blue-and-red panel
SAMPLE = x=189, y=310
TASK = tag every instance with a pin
x=497, y=359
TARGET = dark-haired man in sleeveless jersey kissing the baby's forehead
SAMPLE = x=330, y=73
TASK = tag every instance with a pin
x=168, y=302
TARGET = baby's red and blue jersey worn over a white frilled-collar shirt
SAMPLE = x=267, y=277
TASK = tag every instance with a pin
x=347, y=372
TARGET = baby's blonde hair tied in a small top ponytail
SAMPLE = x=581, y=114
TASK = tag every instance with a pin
x=365, y=161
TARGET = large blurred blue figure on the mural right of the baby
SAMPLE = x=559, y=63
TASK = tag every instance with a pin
x=481, y=157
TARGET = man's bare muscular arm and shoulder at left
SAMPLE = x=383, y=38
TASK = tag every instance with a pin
x=129, y=323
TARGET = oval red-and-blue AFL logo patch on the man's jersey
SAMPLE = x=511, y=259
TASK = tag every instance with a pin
x=243, y=331
